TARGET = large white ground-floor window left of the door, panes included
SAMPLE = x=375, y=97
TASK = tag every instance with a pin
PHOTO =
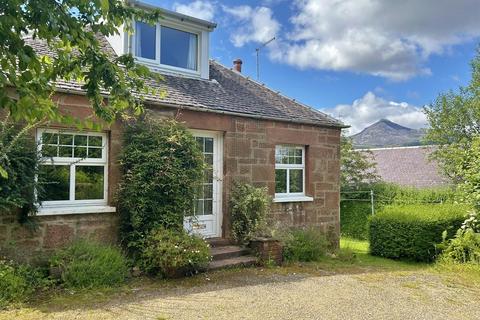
x=73, y=169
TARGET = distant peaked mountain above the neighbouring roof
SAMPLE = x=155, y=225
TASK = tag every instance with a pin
x=386, y=133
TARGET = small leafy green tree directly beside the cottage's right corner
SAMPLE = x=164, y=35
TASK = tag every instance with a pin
x=357, y=166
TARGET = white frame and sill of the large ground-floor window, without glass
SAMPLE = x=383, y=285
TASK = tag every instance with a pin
x=73, y=206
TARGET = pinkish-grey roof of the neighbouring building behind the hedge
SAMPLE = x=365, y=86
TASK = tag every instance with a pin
x=409, y=166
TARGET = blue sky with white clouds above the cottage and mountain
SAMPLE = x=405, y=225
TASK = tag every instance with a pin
x=358, y=60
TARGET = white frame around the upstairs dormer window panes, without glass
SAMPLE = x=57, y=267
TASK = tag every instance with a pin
x=156, y=63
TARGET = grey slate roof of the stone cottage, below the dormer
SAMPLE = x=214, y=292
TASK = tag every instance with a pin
x=227, y=91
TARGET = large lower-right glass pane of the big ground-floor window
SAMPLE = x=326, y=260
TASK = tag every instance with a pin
x=89, y=182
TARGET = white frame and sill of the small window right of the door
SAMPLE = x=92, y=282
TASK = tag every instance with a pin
x=291, y=196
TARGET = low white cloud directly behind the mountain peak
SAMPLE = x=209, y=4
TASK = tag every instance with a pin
x=371, y=108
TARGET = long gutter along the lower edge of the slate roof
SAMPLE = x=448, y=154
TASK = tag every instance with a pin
x=200, y=109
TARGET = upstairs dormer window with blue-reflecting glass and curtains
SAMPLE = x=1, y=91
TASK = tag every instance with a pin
x=166, y=46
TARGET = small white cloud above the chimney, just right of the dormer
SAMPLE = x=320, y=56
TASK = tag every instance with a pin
x=256, y=24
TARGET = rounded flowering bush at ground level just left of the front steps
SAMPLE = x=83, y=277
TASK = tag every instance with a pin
x=170, y=253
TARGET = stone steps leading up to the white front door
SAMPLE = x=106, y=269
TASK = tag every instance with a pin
x=226, y=255
